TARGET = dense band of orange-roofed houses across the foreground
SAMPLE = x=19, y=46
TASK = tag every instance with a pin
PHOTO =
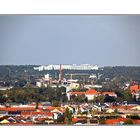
x=82, y=114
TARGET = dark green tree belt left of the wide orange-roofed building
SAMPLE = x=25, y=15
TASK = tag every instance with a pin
x=27, y=95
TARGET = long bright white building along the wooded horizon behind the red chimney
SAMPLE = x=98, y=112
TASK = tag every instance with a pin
x=68, y=67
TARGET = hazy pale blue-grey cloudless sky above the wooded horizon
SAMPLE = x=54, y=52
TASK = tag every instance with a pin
x=103, y=40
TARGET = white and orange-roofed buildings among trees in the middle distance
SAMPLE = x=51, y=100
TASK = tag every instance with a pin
x=71, y=84
